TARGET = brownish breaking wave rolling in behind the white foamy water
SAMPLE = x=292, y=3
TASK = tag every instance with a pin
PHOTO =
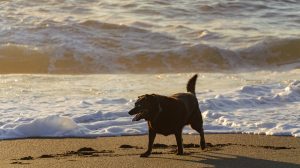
x=96, y=47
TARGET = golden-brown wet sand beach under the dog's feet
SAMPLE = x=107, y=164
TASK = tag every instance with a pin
x=223, y=150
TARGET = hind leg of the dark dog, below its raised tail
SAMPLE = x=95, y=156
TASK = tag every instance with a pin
x=197, y=124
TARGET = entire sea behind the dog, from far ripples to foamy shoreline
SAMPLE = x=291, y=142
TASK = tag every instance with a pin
x=75, y=68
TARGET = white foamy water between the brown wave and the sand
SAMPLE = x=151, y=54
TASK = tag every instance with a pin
x=98, y=105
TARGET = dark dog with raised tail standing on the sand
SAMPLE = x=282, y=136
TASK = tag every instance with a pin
x=168, y=115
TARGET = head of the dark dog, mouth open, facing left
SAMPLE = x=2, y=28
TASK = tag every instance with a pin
x=145, y=108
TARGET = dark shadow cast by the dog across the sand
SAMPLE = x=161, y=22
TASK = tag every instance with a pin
x=219, y=160
